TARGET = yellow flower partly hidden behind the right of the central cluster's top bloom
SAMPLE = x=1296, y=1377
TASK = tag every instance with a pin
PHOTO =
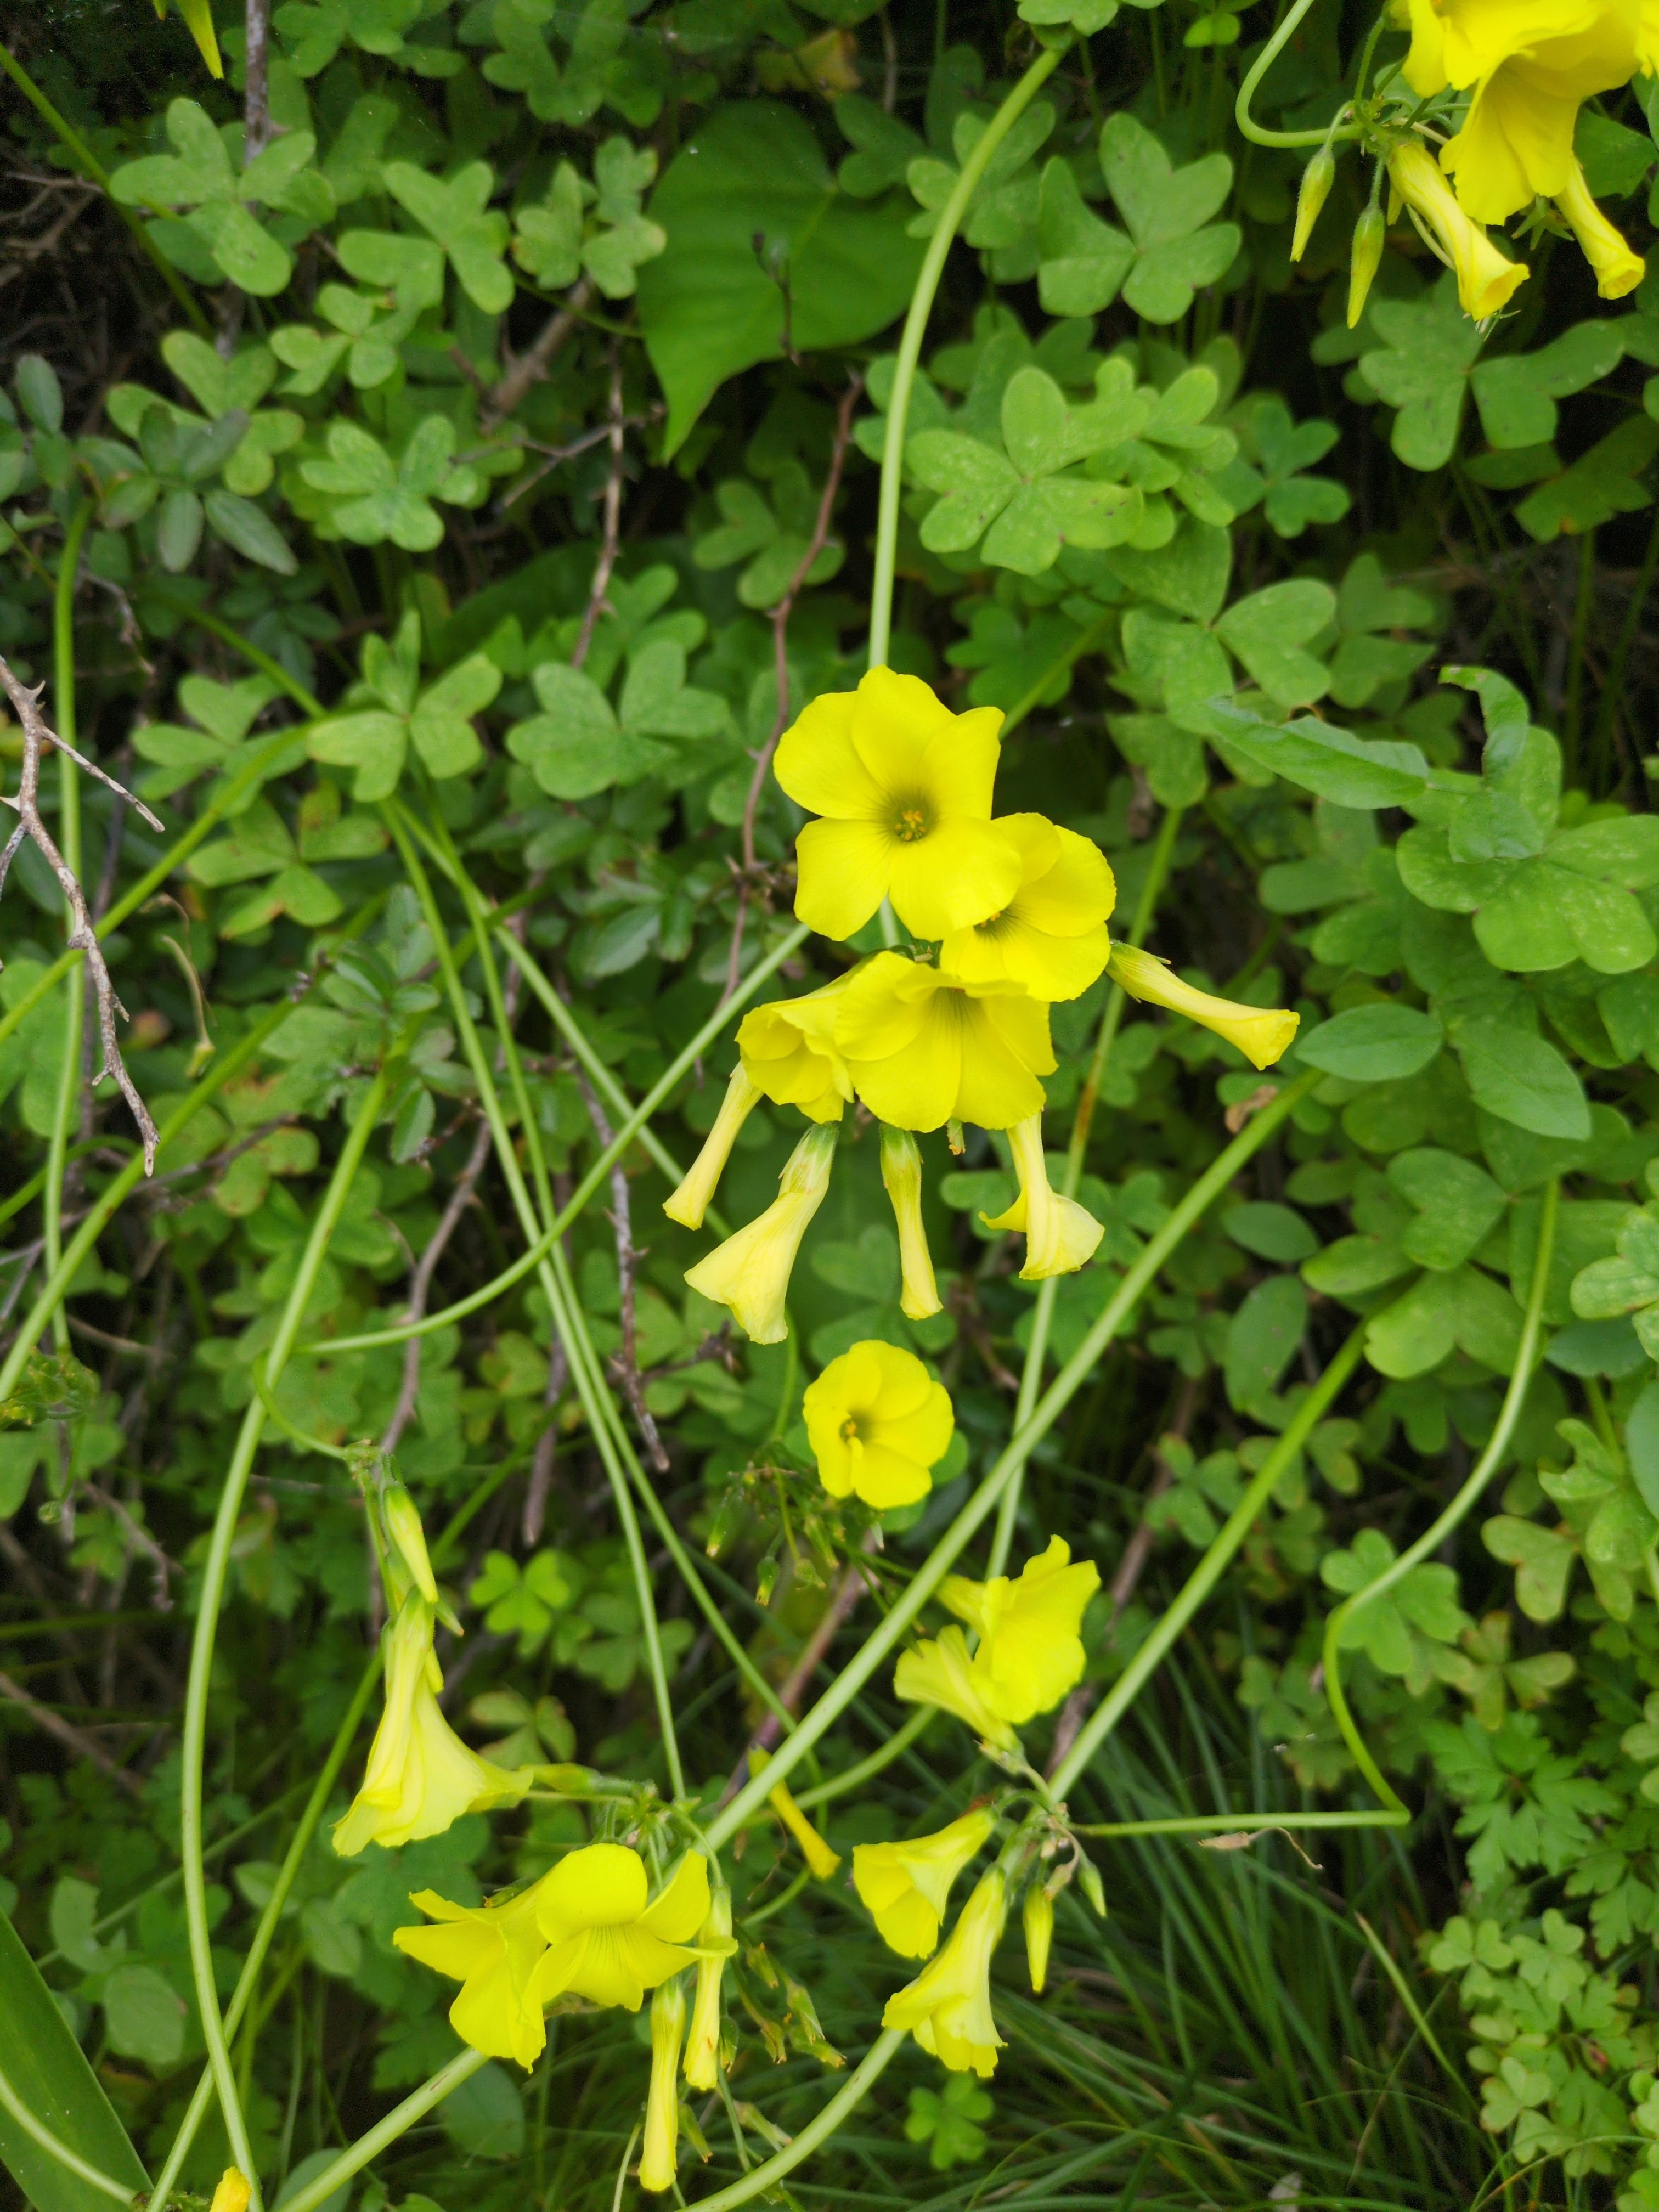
x=1052, y=935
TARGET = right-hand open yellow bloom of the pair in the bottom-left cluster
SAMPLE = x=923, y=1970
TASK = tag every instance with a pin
x=607, y=1943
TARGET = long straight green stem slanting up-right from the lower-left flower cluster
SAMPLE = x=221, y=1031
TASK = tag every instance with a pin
x=1045, y=1415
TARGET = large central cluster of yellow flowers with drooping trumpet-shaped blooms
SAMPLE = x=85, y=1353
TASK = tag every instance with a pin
x=1010, y=919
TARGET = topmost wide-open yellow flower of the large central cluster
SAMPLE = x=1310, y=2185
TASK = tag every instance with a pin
x=906, y=793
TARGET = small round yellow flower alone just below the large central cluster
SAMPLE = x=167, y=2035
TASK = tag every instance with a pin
x=877, y=1423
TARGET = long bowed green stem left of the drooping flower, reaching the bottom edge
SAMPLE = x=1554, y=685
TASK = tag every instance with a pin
x=213, y=1589
